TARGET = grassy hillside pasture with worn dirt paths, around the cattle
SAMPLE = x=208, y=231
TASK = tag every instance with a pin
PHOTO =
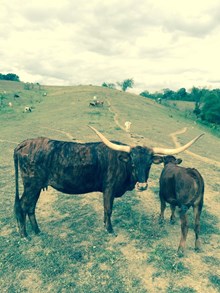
x=74, y=253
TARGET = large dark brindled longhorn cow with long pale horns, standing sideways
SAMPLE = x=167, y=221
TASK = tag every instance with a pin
x=78, y=168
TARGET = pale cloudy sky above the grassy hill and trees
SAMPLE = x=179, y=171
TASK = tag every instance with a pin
x=159, y=43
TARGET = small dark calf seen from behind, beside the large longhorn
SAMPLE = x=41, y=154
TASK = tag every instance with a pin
x=182, y=187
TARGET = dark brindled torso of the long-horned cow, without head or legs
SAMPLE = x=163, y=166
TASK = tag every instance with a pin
x=72, y=168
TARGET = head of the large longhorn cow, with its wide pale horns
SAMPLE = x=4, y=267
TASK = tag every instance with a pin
x=141, y=158
